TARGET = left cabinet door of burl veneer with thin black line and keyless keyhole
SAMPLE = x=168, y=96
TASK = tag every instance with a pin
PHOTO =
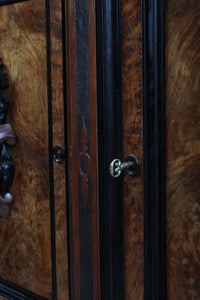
x=33, y=239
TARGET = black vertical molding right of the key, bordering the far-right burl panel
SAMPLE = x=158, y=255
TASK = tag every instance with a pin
x=154, y=150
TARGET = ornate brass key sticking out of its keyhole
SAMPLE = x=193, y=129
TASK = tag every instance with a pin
x=131, y=165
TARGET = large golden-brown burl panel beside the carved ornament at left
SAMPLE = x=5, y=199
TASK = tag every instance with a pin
x=25, y=241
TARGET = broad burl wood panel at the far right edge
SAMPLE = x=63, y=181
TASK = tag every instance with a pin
x=183, y=148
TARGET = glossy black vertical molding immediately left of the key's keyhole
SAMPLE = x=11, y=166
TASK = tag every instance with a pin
x=109, y=85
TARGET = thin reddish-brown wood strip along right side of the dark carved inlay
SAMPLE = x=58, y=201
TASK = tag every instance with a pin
x=93, y=147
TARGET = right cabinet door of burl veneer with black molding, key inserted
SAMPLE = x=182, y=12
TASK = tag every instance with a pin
x=170, y=138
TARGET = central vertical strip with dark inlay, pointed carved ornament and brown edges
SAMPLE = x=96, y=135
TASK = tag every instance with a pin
x=82, y=149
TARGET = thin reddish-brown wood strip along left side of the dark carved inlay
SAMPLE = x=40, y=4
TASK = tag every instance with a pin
x=74, y=203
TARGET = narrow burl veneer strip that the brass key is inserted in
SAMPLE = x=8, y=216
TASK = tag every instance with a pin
x=132, y=141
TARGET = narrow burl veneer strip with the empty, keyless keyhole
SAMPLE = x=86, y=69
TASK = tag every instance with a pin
x=59, y=139
